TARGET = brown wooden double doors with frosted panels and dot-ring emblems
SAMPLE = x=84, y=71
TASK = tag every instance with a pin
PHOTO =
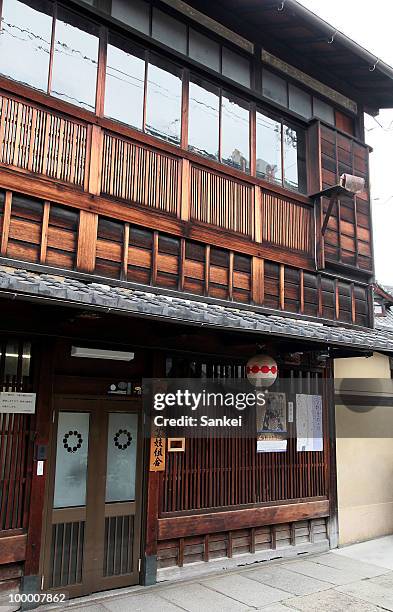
x=94, y=502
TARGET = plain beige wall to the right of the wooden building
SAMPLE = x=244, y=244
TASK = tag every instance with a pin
x=364, y=458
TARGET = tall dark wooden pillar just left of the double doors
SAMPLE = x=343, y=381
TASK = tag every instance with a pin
x=31, y=581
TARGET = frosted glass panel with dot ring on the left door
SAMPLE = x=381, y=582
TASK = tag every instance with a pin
x=71, y=459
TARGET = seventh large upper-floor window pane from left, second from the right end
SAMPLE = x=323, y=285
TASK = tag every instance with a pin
x=269, y=165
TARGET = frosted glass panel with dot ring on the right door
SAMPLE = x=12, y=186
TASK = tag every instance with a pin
x=121, y=457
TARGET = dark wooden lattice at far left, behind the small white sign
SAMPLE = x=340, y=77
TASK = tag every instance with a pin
x=14, y=437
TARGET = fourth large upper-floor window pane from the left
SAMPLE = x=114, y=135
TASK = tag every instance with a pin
x=163, y=105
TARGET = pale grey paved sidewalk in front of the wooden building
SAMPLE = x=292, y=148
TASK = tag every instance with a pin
x=357, y=578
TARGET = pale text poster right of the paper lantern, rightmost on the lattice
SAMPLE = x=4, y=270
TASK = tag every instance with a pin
x=309, y=425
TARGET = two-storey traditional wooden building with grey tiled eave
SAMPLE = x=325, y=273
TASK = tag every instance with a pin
x=168, y=188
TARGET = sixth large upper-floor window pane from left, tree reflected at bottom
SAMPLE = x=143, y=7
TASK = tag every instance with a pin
x=235, y=132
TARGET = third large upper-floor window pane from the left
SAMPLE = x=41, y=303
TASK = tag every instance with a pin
x=124, y=91
